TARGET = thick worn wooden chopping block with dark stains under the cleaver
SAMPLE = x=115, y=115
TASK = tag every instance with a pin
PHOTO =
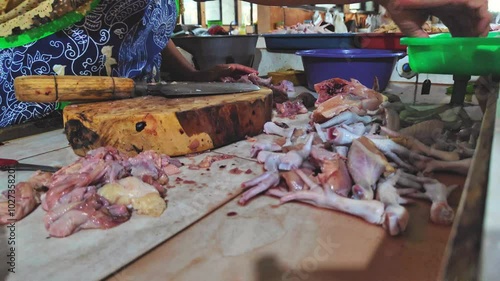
x=171, y=126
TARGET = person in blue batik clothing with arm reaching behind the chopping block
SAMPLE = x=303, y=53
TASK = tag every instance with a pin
x=122, y=38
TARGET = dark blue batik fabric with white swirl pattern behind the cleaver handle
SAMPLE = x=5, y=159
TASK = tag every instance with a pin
x=118, y=38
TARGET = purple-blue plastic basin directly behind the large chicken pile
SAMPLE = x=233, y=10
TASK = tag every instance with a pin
x=361, y=64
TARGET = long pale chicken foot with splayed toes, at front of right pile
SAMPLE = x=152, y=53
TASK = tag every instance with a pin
x=369, y=210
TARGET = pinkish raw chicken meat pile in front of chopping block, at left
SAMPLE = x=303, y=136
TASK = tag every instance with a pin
x=97, y=191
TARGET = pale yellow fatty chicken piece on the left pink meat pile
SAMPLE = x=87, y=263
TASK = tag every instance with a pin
x=133, y=192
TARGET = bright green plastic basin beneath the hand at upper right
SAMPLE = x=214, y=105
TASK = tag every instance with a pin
x=443, y=54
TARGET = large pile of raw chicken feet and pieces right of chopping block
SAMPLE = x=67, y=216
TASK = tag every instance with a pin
x=353, y=157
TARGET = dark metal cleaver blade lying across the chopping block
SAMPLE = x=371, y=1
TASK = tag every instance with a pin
x=184, y=89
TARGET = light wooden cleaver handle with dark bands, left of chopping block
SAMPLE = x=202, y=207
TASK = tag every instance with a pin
x=47, y=88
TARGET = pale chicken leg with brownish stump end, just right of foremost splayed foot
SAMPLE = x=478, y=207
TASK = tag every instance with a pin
x=397, y=216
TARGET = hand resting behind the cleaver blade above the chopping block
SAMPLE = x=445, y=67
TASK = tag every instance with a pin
x=223, y=70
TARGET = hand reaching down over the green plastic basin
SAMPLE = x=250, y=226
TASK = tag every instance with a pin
x=462, y=17
